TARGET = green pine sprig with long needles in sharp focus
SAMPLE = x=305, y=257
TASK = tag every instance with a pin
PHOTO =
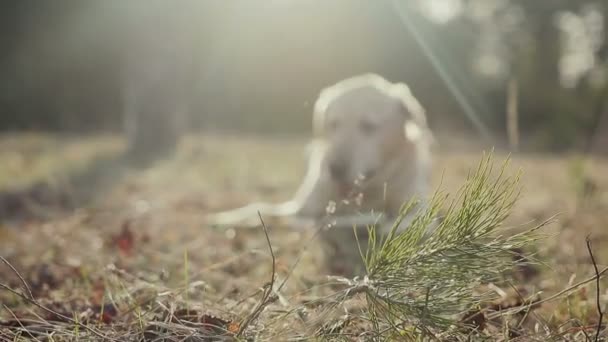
x=425, y=275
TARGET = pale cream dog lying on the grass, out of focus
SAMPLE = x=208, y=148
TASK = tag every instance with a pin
x=370, y=154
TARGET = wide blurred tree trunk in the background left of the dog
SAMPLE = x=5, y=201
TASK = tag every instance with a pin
x=157, y=78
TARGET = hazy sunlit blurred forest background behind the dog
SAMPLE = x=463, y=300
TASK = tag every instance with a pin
x=258, y=66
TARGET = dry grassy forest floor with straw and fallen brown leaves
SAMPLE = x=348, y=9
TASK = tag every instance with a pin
x=127, y=247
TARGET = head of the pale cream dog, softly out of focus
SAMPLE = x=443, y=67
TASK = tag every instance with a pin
x=367, y=123
